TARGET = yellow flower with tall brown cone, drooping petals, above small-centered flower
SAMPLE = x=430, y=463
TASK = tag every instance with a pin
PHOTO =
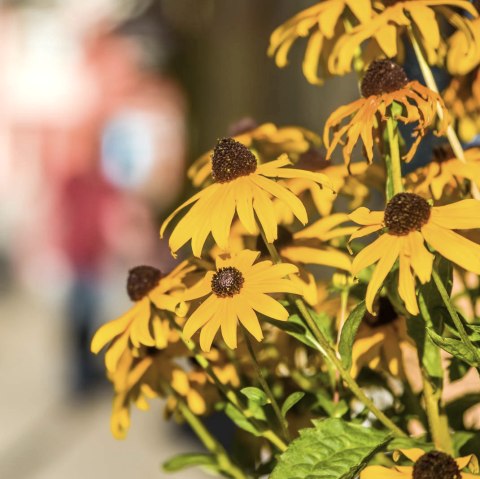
x=240, y=186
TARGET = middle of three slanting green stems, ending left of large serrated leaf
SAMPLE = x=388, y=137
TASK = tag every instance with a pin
x=229, y=394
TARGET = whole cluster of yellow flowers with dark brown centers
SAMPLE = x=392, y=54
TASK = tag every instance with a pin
x=278, y=240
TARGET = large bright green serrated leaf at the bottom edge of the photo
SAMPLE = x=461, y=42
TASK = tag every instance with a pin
x=332, y=449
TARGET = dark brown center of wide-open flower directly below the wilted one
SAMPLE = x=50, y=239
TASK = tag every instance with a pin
x=406, y=212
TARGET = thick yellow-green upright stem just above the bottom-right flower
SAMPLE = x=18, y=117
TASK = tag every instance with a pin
x=438, y=422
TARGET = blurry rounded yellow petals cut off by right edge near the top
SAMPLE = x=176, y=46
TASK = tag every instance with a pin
x=464, y=49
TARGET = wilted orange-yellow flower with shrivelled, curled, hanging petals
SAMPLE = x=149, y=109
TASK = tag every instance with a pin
x=384, y=84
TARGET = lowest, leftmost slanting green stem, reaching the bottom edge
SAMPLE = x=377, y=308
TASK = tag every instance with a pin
x=223, y=460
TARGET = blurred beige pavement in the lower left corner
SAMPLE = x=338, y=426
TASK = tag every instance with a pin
x=44, y=435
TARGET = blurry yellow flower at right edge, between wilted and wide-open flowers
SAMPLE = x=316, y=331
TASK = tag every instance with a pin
x=445, y=171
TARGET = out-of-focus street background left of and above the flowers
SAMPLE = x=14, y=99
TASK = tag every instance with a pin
x=103, y=104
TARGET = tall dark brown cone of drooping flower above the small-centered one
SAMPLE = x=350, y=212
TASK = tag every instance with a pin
x=230, y=160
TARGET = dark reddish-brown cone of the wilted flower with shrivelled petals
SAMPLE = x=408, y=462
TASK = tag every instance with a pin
x=383, y=76
